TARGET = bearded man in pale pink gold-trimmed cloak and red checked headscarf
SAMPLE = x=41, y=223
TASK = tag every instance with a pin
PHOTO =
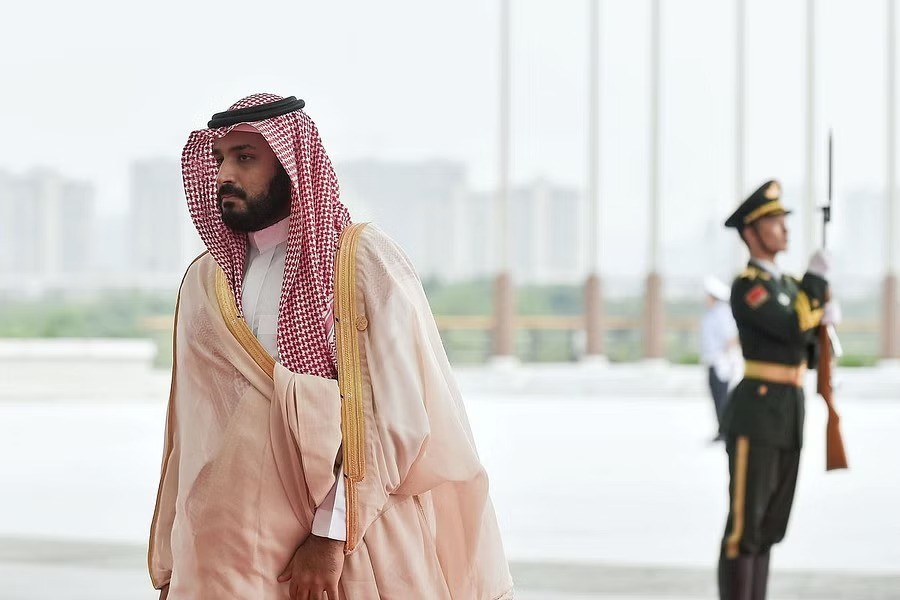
x=316, y=442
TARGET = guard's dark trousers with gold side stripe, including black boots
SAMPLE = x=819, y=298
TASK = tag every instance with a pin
x=763, y=480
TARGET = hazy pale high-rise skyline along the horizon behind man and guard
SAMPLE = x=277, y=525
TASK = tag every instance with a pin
x=451, y=238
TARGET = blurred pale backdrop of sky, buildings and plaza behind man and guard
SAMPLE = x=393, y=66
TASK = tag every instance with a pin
x=558, y=172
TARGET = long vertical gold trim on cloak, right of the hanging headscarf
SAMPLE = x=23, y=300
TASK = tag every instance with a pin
x=348, y=324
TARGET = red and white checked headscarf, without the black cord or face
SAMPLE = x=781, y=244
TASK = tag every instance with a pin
x=305, y=322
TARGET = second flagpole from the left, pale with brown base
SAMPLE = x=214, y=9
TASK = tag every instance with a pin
x=593, y=291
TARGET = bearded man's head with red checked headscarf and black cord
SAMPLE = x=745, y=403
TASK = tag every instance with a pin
x=234, y=183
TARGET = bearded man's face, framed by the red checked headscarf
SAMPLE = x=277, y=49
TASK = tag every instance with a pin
x=253, y=190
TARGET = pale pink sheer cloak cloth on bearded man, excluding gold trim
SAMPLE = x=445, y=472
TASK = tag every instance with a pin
x=248, y=459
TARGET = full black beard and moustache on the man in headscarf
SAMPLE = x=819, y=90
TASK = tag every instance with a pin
x=259, y=211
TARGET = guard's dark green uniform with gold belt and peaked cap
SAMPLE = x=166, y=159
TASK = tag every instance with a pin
x=777, y=317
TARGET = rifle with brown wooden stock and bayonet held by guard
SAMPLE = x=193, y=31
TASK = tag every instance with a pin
x=829, y=348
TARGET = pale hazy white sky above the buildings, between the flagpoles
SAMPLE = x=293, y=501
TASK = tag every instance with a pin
x=89, y=86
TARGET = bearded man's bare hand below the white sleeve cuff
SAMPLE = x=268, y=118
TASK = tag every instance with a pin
x=315, y=568
